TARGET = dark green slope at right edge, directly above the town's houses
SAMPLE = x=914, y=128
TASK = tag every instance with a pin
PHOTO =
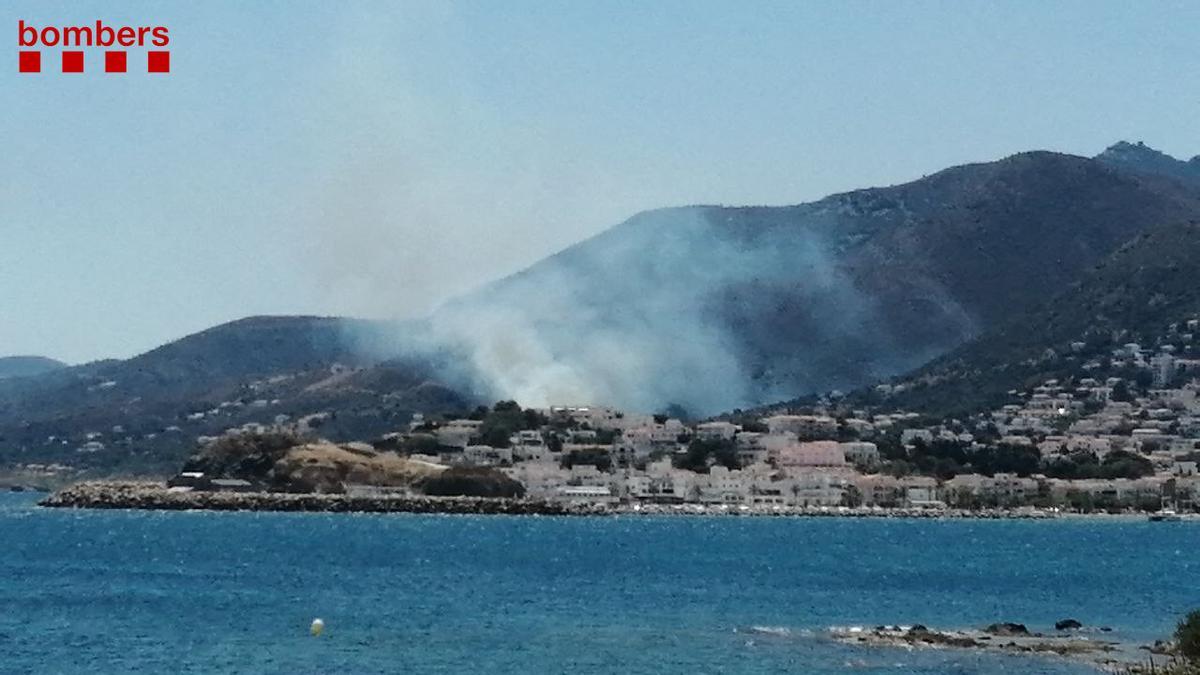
x=1137, y=295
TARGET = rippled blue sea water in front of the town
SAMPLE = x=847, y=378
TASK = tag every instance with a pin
x=91, y=592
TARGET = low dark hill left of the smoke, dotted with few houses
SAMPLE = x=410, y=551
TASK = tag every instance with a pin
x=146, y=414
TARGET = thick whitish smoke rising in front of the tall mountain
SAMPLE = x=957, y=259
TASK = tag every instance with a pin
x=632, y=318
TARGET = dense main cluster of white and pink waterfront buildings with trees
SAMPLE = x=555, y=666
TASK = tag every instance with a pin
x=601, y=456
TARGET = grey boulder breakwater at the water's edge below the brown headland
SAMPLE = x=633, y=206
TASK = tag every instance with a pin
x=157, y=497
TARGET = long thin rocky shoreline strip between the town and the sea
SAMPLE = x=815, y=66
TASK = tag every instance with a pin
x=157, y=497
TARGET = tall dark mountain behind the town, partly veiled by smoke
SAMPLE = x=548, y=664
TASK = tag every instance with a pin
x=716, y=308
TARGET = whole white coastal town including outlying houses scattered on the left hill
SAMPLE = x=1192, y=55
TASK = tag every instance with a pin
x=1120, y=434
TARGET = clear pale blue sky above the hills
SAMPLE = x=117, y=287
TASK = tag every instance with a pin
x=376, y=159
